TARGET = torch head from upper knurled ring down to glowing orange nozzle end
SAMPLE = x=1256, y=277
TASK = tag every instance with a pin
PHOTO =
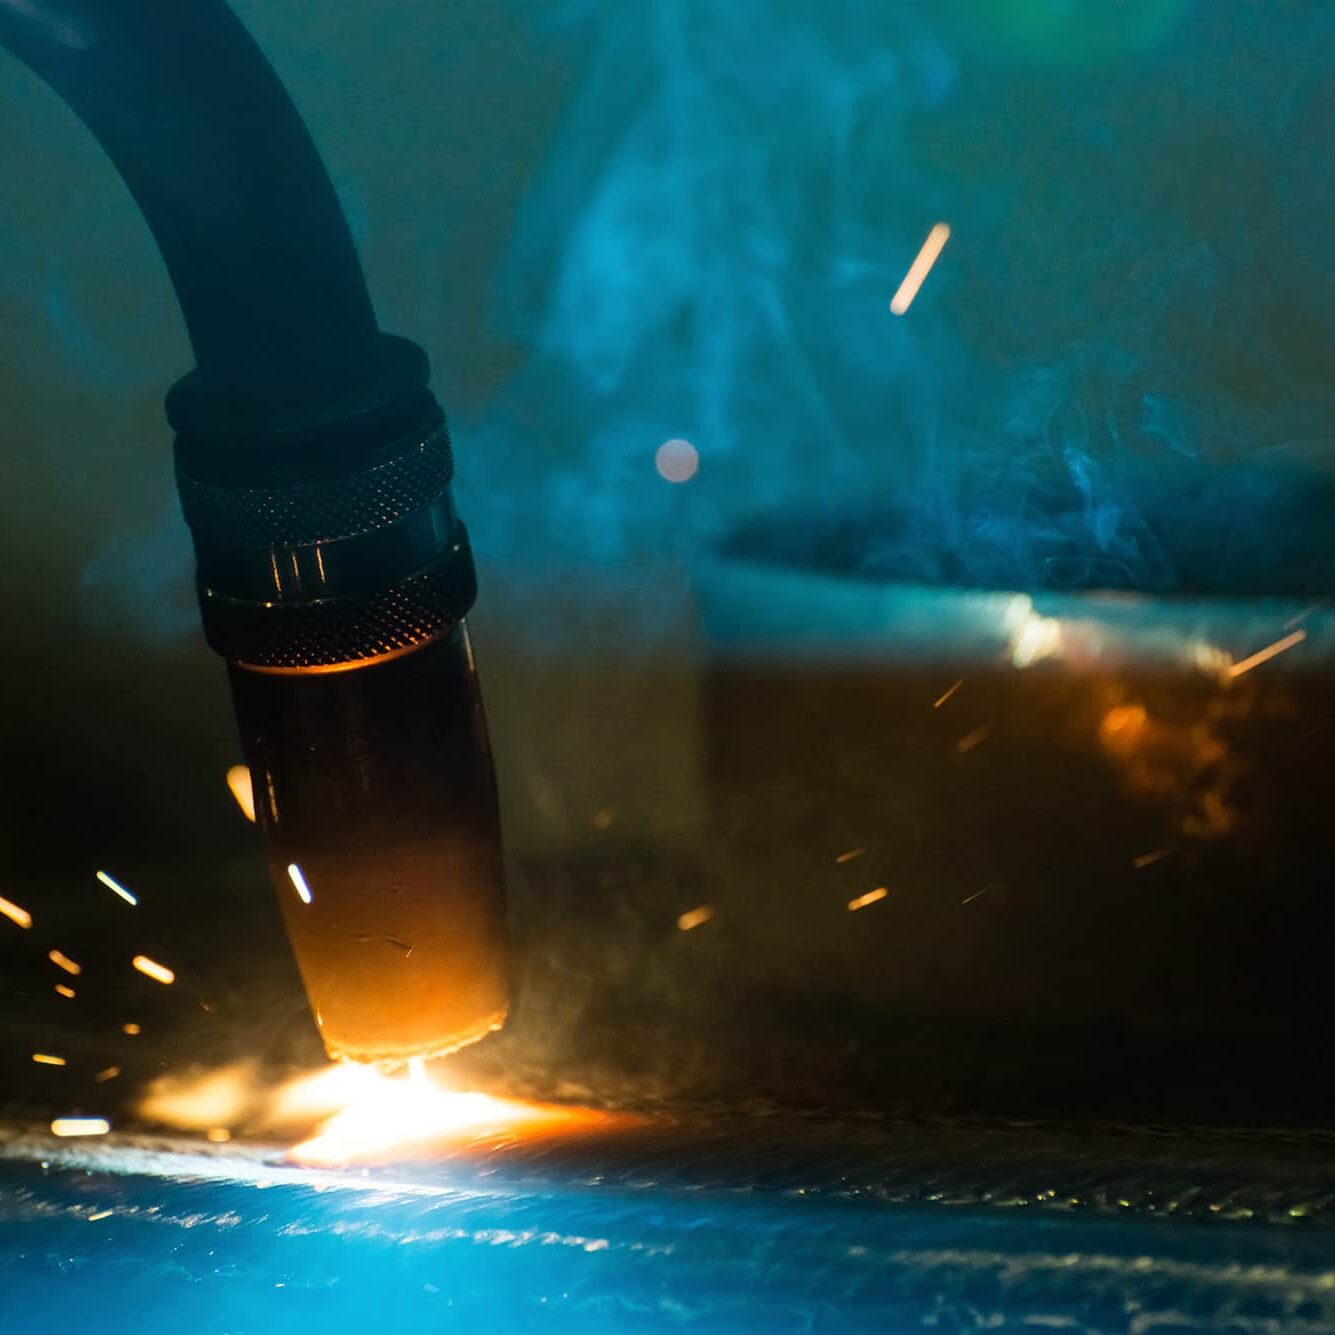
x=336, y=580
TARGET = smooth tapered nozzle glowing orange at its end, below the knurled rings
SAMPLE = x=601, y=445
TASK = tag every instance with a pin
x=377, y=798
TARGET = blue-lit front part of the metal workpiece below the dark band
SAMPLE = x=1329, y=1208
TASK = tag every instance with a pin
x=484, y=1253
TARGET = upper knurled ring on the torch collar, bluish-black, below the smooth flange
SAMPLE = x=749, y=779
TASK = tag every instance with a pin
x=292, y=516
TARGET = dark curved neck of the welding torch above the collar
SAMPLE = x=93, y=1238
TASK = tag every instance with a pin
x=217, y=157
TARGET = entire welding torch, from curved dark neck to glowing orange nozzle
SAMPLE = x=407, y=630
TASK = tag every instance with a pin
x=314, y=471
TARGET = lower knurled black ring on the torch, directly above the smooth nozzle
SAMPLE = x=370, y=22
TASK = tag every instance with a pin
x=344, y=631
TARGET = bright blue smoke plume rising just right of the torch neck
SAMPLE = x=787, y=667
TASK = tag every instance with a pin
x=708, y=254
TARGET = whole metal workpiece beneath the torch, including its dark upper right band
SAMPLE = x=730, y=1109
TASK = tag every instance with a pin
x=779, y=1232
